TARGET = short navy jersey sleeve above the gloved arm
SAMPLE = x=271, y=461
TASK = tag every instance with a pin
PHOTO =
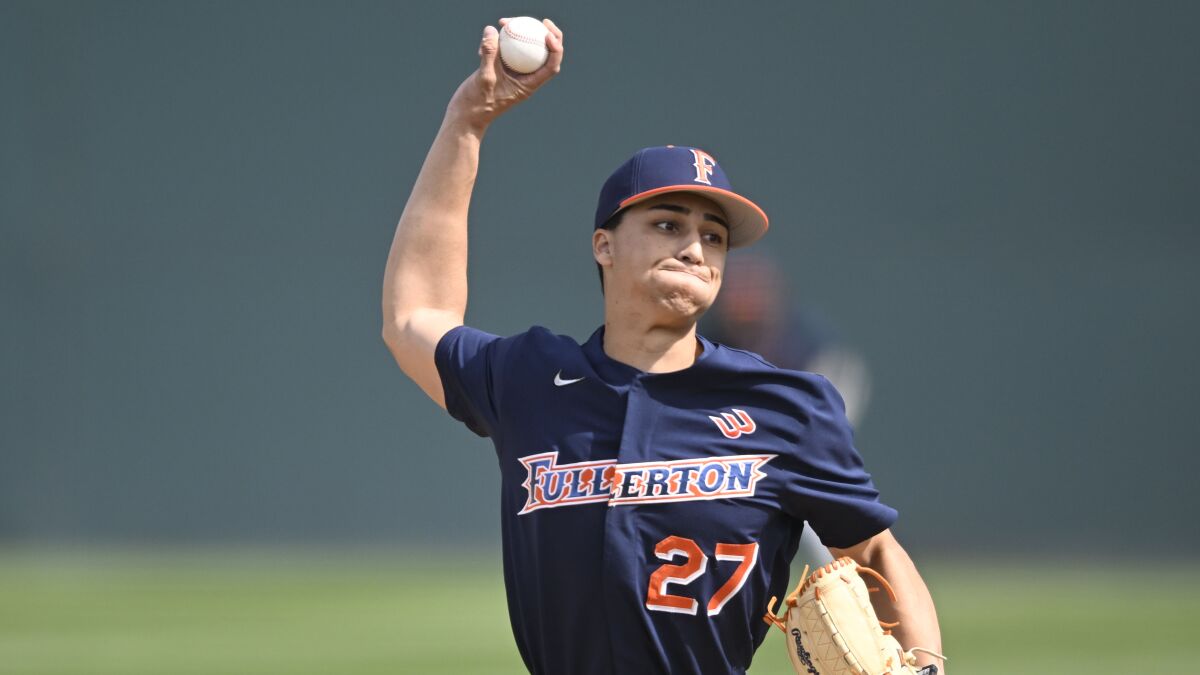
x=827, y=483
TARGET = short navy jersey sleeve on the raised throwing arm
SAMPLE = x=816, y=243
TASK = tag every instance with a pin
x=470, y=365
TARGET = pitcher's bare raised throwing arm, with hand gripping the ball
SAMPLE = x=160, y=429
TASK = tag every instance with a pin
x=425, y=283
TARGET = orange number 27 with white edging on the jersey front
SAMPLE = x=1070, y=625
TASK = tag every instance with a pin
x=694, y=566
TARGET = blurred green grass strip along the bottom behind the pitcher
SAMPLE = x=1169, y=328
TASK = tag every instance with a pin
x=302, y=613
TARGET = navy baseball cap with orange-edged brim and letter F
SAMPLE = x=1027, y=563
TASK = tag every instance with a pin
x=680, y=169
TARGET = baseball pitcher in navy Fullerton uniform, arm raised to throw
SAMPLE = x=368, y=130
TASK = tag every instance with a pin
x=655, y=485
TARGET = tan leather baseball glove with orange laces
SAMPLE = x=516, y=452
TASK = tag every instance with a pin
x=833, y=630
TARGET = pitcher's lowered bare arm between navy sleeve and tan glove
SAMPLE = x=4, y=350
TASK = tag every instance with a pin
x=914, y=608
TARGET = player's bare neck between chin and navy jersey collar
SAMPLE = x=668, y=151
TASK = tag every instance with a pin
x=650, y=347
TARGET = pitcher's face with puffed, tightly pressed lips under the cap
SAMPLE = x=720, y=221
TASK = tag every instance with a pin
x=669, y=250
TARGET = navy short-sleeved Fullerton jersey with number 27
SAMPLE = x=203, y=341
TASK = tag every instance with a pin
x=649, y=518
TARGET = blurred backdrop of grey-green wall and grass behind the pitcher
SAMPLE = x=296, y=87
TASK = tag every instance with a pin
x=211, y=464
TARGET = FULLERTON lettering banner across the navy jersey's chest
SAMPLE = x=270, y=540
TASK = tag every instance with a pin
x=550, y=485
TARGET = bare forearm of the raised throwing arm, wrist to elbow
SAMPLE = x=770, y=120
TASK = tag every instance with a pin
x=428, y=264
